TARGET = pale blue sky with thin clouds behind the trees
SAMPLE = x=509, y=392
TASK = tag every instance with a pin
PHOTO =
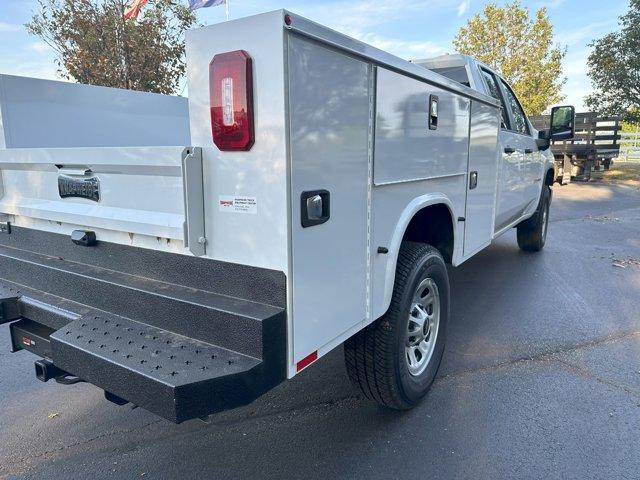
x=407, y=28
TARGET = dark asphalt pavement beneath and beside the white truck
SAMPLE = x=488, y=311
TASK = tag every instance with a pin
x=540, y=379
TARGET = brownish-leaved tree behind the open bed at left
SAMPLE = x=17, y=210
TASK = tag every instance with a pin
x=94, y=44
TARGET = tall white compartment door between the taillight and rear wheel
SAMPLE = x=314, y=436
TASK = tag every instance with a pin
x=329, y=99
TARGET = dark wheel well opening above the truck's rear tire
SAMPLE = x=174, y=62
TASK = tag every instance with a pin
x=433, y=225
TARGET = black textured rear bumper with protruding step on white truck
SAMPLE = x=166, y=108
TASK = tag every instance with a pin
x=181, y=350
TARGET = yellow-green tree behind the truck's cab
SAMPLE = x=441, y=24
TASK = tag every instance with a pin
x=520, y=48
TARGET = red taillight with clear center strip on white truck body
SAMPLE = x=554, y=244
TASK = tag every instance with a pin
x=231, y=100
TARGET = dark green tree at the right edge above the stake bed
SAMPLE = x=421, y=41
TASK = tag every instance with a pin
x=614, y=68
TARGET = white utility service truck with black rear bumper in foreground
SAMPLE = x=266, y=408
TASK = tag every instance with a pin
x=326, y=185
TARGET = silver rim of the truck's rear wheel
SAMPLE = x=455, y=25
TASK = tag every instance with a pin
x=423, y=325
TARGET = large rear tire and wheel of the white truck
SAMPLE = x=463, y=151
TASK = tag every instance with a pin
x=395, y=359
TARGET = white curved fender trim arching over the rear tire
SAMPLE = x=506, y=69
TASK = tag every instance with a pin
x=415, y=206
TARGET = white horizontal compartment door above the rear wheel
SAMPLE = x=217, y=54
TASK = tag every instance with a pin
x=406, y=149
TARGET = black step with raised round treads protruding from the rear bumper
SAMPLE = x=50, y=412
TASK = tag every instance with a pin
x=174, y=376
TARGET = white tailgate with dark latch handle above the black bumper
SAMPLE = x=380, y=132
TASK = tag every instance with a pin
x=137, y=190
